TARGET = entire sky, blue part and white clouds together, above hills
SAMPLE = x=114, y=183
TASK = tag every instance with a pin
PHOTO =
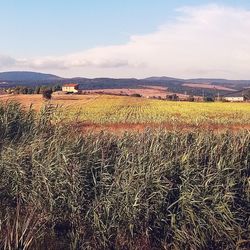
x=126, y=38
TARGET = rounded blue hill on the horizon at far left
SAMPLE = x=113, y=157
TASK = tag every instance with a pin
x=27, y=76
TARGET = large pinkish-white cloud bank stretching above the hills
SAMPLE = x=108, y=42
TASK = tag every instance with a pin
x=203, y=41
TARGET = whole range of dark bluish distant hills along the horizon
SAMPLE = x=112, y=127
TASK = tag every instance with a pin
x=198, y=87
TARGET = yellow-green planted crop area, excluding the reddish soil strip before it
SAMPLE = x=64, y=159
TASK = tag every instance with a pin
x=109, y=109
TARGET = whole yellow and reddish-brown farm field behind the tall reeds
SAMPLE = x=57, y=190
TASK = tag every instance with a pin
x=98, y=112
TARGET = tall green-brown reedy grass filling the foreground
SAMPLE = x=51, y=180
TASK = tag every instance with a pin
x=156, y=190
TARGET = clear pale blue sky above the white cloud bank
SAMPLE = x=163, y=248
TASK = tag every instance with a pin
x=45, y=27
